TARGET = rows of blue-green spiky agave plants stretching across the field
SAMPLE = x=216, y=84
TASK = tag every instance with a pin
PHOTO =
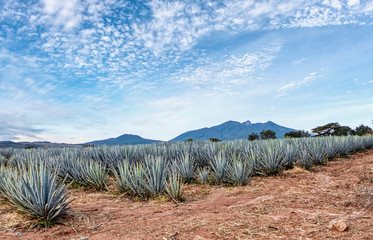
x=37, y=181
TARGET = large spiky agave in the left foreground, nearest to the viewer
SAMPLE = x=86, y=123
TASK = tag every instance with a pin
x=37, y=191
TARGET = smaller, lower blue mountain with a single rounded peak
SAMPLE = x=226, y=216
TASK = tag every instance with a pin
x=125, y=139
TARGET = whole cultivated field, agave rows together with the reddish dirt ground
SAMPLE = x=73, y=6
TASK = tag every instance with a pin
x=290, y=189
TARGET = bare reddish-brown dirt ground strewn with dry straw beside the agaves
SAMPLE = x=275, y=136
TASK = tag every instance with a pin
x=296, y=205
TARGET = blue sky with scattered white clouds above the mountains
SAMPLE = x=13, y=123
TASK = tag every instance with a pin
x=80, y=70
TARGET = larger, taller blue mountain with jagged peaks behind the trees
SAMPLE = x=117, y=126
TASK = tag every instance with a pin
x=232, y=130
